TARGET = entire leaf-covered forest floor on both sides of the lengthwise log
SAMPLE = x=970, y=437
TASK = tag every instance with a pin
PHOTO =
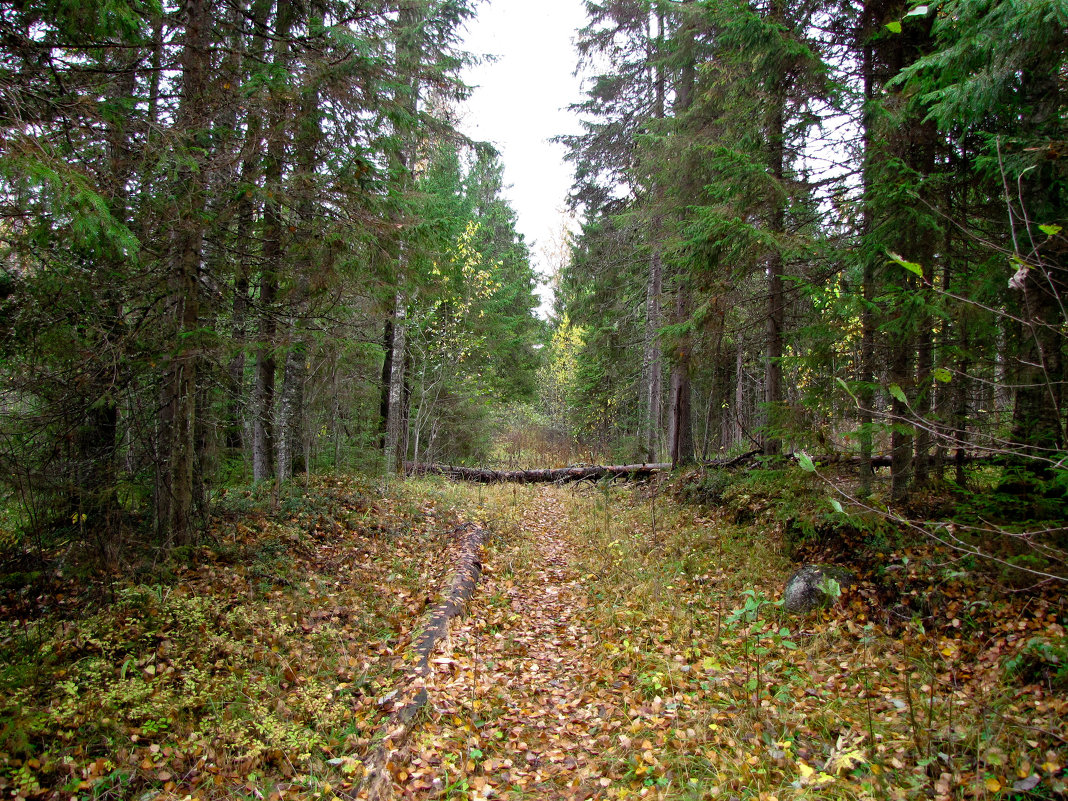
x=621, y=645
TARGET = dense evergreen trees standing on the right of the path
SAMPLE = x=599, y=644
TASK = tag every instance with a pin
x=860, y=210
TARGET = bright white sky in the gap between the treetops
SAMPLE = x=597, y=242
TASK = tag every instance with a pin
x=521, y=102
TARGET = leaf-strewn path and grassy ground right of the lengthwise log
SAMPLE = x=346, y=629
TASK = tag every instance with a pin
x=625, y=647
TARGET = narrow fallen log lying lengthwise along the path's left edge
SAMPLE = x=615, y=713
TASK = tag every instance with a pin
x=378, y=781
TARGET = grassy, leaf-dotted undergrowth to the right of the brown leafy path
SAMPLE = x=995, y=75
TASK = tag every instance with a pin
x=960, y=697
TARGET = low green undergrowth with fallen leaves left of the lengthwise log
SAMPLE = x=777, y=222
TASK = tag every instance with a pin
x=247, y=666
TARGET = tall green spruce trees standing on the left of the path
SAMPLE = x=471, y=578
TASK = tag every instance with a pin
x=209, y=211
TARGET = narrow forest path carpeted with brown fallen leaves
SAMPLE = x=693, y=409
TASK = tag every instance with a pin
x=513, y=710
